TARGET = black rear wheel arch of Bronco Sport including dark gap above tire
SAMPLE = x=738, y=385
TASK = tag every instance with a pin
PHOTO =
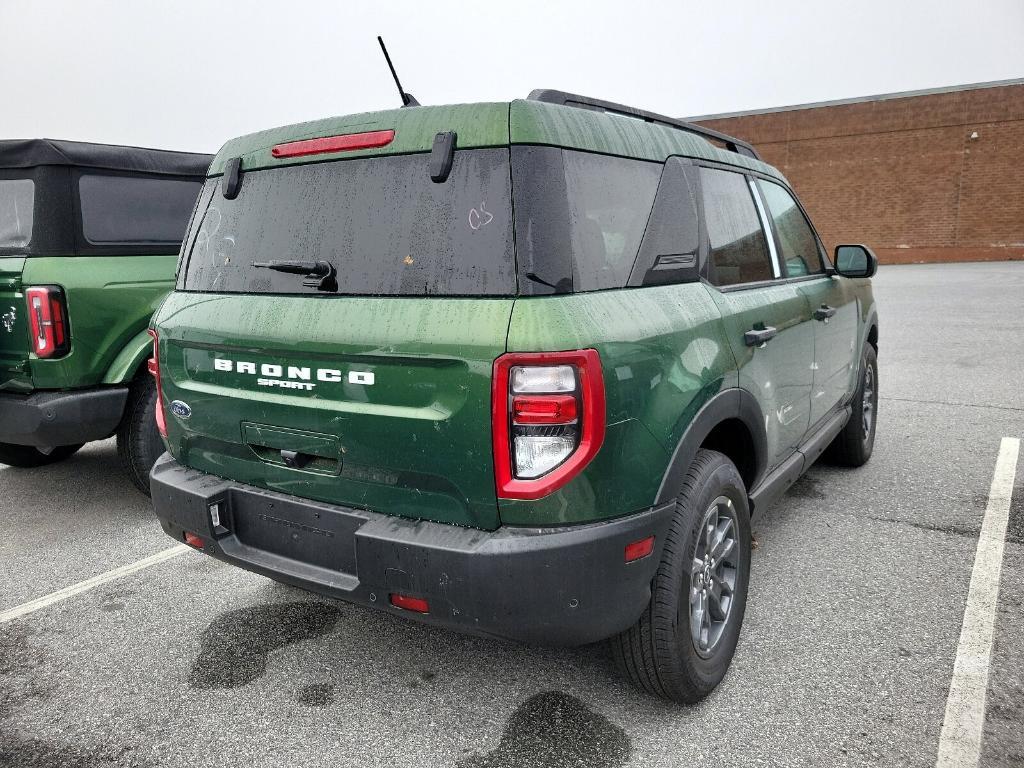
x=732, y=423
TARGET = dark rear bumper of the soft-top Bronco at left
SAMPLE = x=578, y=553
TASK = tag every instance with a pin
x=51, y=419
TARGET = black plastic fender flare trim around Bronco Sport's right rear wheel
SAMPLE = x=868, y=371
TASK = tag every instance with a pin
x=730, y=404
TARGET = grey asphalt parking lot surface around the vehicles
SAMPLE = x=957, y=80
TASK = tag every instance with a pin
x=859, y=591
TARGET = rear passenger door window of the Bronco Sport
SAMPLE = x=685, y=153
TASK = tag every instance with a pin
x=739, y=248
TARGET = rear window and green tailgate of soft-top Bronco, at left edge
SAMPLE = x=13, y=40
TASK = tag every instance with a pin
x=17, y=207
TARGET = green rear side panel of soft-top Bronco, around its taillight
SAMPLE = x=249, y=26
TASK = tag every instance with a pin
x=110, y=303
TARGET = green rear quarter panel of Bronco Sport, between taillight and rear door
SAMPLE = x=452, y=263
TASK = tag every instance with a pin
x=664, y=355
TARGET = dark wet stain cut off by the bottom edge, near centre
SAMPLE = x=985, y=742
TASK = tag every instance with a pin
x=557, y=731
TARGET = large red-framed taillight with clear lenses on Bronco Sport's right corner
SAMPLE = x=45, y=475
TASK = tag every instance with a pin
x=547, y=419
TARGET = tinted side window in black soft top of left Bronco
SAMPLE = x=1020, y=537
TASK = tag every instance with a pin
x=124, y=209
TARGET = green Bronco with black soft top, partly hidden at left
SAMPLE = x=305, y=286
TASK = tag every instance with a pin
x=89, y=240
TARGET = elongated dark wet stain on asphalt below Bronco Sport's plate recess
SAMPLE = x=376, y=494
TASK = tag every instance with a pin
x=235, y=649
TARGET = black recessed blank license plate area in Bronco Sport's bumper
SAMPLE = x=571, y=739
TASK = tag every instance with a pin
x=307, y=532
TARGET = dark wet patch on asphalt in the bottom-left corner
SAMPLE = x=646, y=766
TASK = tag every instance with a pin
x=21, y=659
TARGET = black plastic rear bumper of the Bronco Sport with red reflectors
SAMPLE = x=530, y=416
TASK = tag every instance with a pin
x=566, y=586
